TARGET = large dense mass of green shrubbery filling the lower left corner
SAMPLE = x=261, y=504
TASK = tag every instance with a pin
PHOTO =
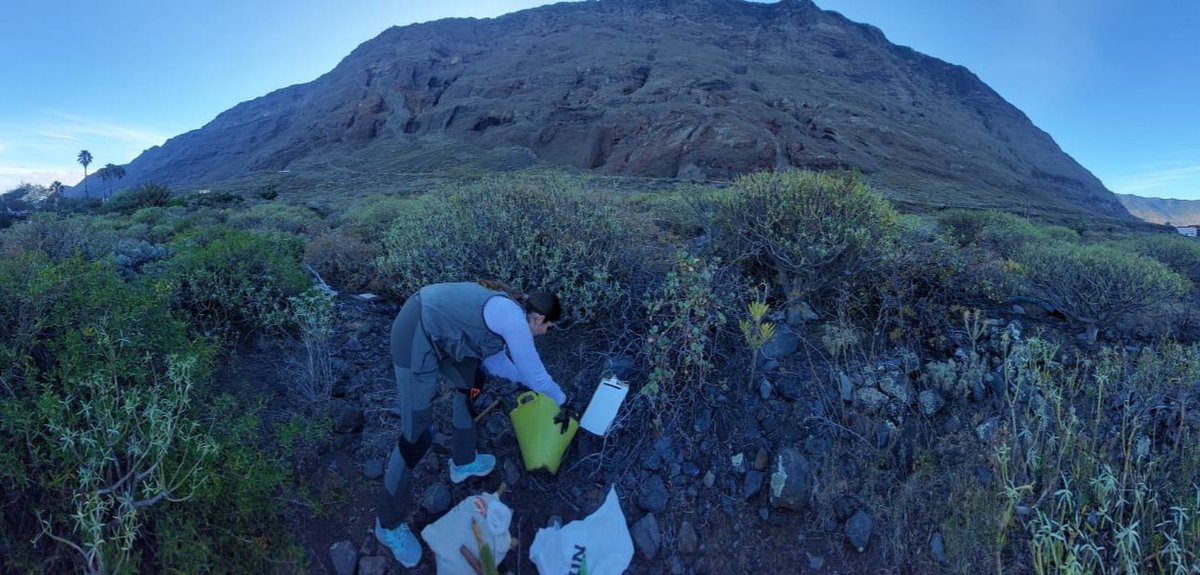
x=97, y=429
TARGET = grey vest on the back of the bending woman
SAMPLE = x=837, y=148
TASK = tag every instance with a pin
x=453, y=318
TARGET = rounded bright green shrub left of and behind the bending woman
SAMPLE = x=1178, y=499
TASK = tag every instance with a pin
x=235, y=283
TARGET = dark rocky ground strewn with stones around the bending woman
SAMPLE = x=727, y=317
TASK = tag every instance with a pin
x=862, y=454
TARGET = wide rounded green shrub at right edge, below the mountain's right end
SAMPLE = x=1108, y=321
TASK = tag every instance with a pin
x=1097, y=285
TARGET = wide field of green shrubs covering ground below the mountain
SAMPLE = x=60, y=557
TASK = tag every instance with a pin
x=1036, y=385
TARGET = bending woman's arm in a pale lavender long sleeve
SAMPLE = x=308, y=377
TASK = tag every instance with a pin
x=508, y=320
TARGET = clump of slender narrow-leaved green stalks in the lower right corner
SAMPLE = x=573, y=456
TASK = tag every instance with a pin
x=1105, y=492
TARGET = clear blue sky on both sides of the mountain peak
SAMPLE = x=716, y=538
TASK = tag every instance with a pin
x=1114, y=82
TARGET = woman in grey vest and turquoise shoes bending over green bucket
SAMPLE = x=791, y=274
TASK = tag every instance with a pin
x=452, y=331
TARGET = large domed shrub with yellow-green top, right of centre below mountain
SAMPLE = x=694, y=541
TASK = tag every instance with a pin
x=802, y=230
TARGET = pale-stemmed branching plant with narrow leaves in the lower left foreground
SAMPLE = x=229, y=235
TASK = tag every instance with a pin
x=135, y=448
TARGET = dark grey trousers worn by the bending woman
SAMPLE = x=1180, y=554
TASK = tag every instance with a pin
x=418, y=372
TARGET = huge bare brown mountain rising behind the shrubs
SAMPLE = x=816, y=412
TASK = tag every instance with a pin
x=691, y=89
